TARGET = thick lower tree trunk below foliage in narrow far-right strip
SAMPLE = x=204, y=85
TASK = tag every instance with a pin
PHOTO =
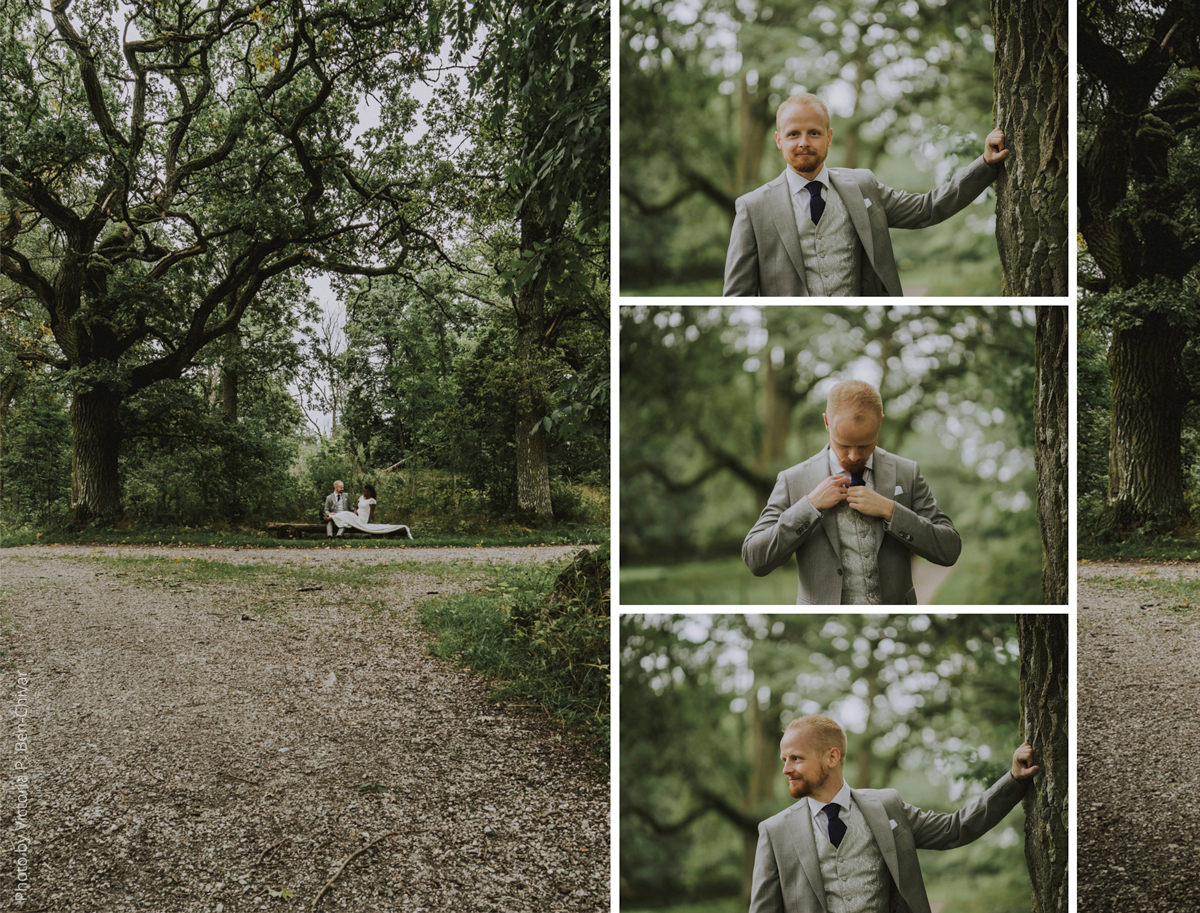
x=1145, y=454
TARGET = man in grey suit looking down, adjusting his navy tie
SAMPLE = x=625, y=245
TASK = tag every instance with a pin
x=854, y=515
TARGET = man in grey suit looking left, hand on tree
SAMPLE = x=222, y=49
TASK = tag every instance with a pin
x=855, y=851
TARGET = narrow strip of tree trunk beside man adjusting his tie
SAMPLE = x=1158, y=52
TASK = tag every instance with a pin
x=1053, y=448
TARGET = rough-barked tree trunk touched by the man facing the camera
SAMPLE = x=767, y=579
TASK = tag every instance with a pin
x=1033, y=110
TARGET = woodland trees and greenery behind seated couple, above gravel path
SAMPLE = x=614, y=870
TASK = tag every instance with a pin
x=250, y=251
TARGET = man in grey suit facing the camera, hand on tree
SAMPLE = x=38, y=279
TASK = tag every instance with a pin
x=824, y=232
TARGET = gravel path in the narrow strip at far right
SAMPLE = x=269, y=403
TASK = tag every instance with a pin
x=1138, y=742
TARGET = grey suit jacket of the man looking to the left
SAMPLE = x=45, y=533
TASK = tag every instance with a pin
x=788, y=873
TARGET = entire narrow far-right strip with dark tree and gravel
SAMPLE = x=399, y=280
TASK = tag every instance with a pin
x=1139, y=440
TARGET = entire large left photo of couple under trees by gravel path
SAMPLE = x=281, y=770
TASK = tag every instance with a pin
x=305, y=455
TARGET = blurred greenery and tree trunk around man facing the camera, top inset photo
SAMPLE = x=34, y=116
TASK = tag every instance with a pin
x=913, y=88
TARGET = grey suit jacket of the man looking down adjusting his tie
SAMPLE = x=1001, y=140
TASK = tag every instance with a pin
x=790, y=525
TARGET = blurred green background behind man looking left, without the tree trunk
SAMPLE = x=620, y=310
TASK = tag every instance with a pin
x=929, y=704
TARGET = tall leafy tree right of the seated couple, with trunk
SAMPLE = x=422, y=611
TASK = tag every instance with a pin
x=545, y=79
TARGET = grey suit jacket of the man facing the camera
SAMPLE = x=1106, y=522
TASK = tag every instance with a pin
x=765, y=248
